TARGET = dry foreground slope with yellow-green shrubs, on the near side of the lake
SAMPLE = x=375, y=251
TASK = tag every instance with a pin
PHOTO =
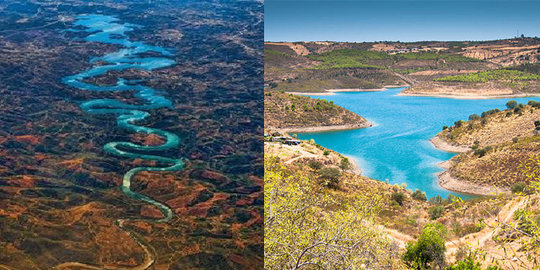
x=316, y=188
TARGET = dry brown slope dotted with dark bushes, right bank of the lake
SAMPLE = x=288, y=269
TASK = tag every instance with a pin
x=502, y=144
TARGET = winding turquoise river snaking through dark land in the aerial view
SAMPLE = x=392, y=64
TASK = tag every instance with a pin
x=106, y=29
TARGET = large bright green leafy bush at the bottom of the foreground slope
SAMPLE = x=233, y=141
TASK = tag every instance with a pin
x=428, y=251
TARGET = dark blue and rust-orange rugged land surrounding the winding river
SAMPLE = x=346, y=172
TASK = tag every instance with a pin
x=59, y=190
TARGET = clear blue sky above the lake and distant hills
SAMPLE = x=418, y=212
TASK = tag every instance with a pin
x=403, y=20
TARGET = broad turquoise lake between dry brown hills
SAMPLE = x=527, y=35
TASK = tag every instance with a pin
x=396, y=148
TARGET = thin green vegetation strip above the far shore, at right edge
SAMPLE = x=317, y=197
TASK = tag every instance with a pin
x=491, y=75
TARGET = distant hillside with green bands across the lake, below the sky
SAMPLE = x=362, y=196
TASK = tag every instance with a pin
x=468, y=69
